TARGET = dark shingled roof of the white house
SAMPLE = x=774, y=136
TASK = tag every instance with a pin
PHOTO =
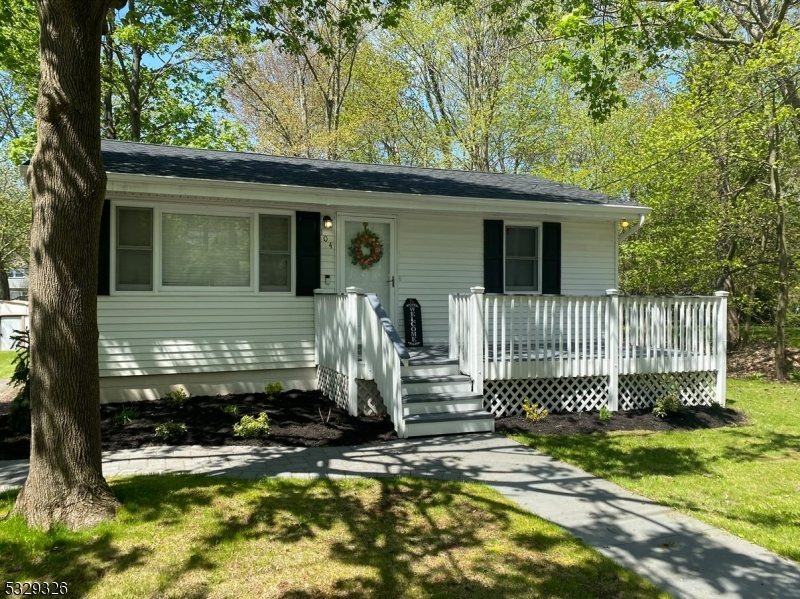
x=172, y=161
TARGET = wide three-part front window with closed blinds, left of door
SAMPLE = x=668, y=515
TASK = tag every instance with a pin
x=202, y=250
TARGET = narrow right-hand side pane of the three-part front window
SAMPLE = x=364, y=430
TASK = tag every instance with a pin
x=274, y=253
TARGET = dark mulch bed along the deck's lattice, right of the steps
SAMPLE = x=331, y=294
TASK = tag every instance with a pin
x=568, y=423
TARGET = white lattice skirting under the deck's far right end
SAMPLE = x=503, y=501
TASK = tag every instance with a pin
x=642, y=390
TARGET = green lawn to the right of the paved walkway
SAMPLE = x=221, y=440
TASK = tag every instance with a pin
x=745, y=480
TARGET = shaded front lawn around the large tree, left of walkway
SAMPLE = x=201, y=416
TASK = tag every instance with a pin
x=193, y=536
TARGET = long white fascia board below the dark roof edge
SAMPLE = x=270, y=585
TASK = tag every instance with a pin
x=150, y=186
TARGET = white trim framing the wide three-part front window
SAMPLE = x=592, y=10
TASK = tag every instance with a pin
x=172, y=208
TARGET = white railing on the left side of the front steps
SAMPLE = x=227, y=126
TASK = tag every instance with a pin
x=345, y=322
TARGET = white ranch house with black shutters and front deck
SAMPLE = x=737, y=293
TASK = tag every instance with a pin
x=221, y=272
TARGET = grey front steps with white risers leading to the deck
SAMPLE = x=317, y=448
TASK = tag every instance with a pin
x=438, y=400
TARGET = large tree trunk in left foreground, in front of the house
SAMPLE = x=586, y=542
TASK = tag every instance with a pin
x=65, y=483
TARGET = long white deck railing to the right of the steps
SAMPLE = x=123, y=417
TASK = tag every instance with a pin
x=500, y=337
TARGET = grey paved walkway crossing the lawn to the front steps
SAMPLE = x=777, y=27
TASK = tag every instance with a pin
x=679, y=554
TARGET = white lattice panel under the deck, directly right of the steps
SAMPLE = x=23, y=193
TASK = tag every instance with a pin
x=573, y=394
